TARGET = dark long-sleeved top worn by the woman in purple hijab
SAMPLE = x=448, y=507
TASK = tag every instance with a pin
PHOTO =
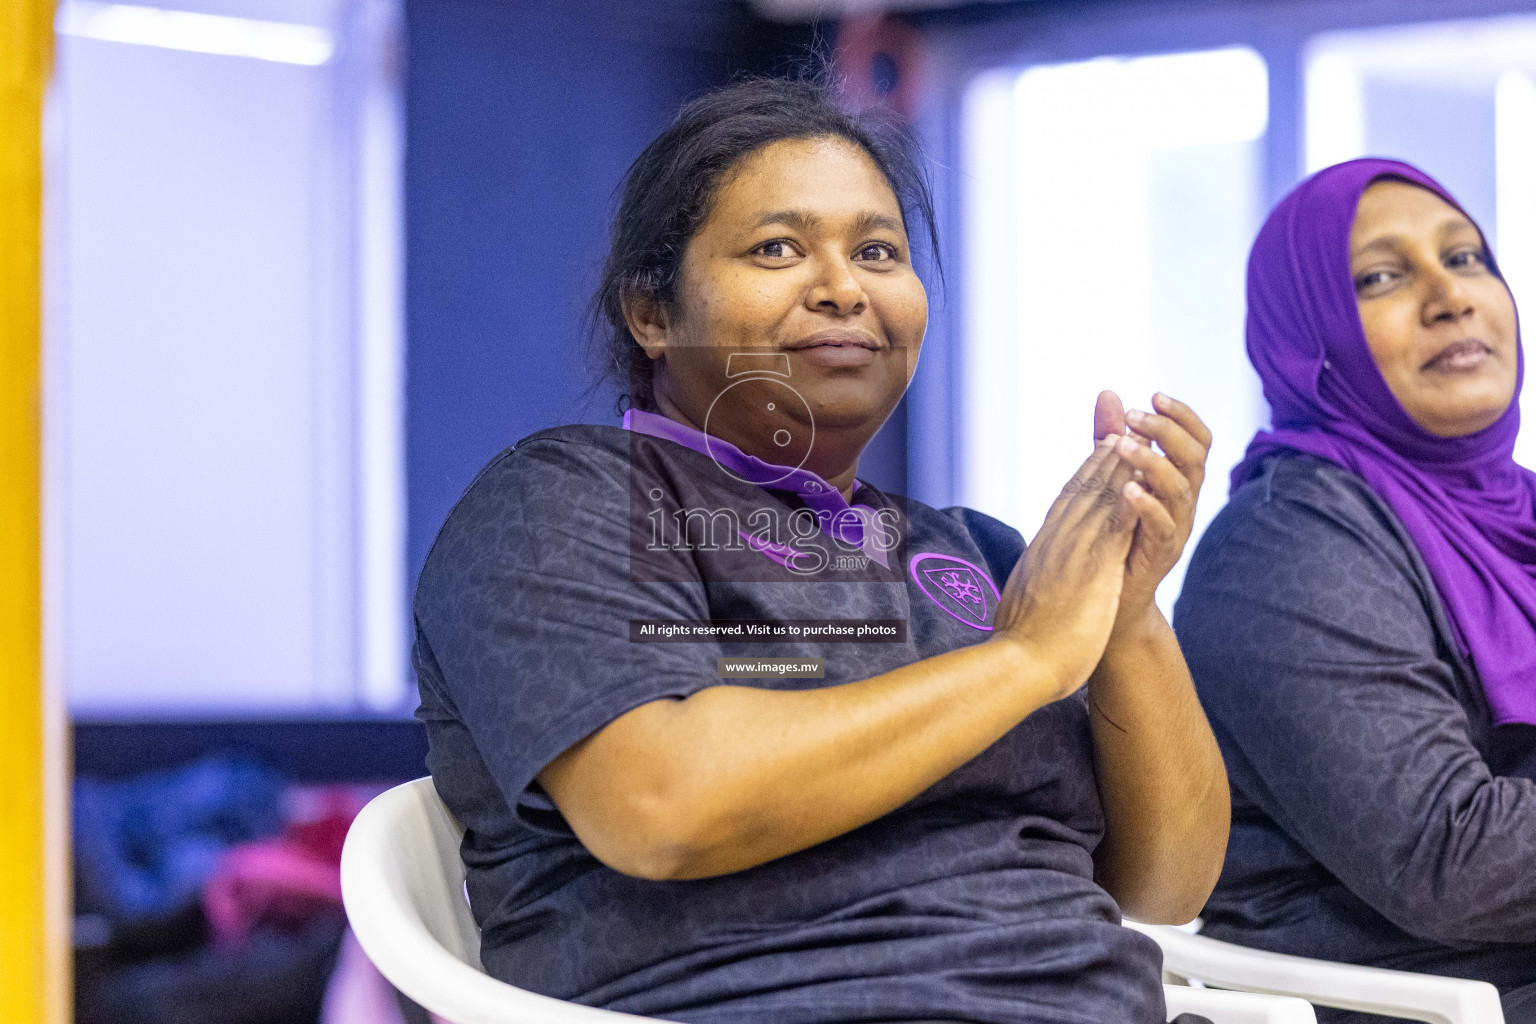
x=1377, y=814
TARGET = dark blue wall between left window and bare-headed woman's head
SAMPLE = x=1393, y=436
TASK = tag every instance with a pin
x=521, y=121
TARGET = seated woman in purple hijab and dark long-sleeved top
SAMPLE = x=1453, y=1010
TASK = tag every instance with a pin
x=1362, y=618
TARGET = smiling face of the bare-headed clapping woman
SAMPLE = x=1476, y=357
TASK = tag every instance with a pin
x=801, y=268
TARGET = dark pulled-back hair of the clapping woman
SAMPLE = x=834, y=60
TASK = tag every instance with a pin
x=670, y=188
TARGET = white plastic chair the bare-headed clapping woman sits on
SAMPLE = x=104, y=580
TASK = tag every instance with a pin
x=403, y=885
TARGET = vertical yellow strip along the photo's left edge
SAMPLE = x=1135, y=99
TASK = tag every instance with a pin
x=35, y=953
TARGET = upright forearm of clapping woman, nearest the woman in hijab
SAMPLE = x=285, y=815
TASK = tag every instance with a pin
x=1160, y=778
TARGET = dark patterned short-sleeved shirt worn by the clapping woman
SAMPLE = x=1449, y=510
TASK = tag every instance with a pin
x=975, y=902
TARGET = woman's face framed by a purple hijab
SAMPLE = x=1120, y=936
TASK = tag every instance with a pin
x=1438, y=322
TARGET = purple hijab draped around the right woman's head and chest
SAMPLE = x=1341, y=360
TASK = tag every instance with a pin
x=1468, y=506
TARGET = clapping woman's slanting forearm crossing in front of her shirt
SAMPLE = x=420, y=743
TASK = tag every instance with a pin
x=733, y=776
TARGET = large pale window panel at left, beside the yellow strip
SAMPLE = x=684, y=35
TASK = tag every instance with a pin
x=225, y=448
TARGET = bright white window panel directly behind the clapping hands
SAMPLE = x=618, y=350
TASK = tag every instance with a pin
x=1110, y=211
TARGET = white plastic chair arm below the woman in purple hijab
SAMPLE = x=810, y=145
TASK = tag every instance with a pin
x=1399, y=994
